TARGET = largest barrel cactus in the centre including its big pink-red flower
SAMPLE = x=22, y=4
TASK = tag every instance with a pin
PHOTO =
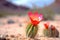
x=32, y=28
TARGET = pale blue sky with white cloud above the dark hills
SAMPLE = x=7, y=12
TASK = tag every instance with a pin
x=39, y=3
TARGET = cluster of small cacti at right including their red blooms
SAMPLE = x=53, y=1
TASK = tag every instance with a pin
x=50, y=31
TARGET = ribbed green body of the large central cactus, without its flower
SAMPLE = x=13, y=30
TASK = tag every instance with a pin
x=31, y=31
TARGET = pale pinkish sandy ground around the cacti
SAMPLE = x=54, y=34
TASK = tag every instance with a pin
x=18, y=28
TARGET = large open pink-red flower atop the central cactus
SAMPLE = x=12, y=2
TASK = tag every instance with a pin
x=35, y=18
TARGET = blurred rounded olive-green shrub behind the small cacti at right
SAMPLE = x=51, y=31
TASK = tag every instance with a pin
x=48, y=14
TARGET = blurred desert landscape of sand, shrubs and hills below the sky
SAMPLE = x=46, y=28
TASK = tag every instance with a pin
x=14, y=19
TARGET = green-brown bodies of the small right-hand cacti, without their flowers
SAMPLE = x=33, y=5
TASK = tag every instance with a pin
x=51, y=33
